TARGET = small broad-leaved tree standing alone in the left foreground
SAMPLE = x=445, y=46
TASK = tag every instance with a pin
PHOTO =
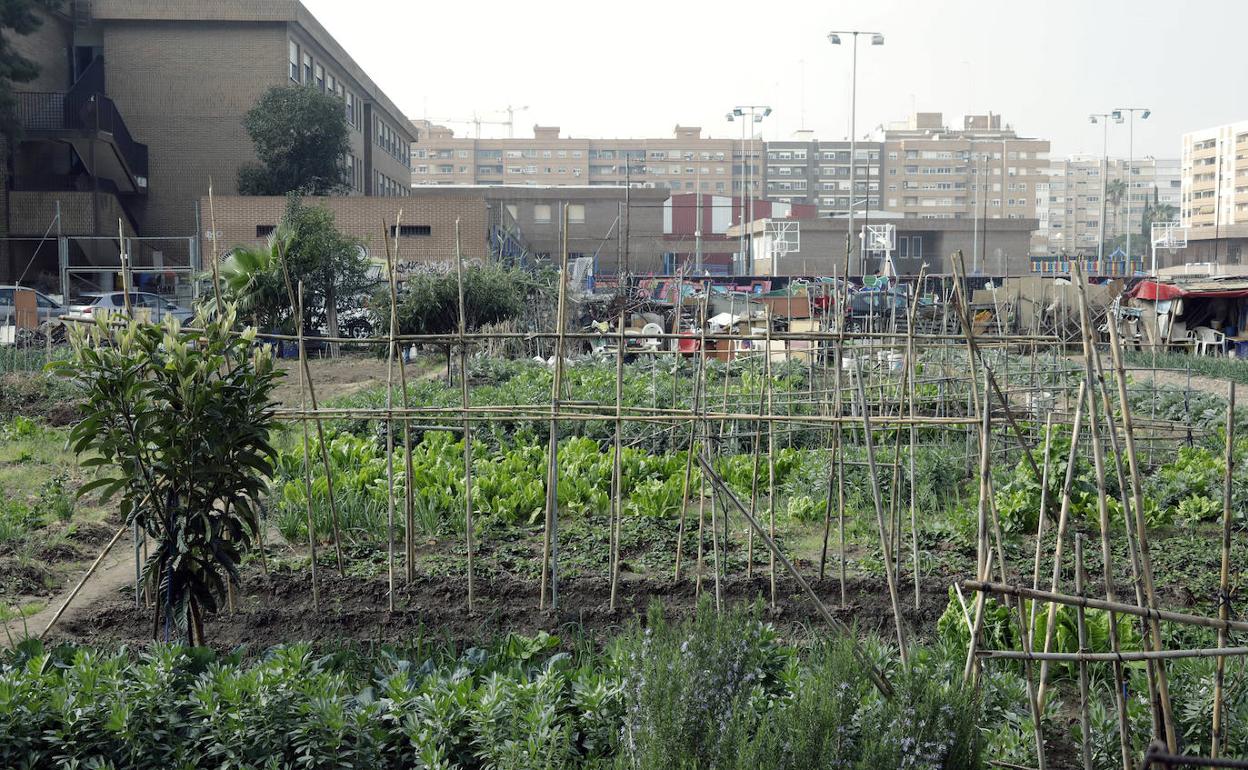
x=179, y=424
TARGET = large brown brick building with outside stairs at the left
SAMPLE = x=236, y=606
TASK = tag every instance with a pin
x=142, y=105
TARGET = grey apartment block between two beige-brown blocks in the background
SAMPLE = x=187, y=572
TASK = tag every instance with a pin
x=809, y=172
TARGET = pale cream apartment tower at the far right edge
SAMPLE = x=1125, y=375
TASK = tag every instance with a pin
x=1215, y=179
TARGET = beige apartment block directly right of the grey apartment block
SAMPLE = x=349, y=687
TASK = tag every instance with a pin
x=982, y=170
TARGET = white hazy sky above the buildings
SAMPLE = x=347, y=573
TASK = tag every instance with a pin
x=638, y=68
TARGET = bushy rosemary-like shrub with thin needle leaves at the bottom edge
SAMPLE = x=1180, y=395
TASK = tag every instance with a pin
x=723, y=692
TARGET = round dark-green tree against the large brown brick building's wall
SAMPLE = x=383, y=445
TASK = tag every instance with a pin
x=301, y=139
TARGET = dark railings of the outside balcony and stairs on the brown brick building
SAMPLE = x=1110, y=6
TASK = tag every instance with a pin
x=82, y=118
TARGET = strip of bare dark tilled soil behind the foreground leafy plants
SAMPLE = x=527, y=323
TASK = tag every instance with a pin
x=279, y=608
